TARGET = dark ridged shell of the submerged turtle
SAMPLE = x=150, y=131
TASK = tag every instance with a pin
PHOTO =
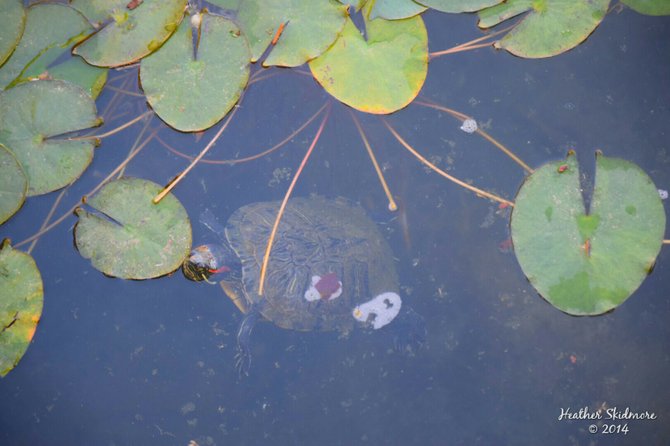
x=316, y=236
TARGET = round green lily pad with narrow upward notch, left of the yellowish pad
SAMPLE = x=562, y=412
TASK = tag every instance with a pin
x=193, y=93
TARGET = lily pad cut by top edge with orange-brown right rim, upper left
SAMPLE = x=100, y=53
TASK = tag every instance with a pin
x=132, y=33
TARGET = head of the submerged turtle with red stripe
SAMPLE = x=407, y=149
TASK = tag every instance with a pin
x=205, y=261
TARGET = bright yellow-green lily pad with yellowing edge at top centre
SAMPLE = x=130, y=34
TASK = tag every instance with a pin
x=380, y=75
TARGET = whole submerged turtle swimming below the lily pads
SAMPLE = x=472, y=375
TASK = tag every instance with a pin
x=330, y=269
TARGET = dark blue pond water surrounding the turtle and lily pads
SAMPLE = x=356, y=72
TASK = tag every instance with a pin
x=119, y=362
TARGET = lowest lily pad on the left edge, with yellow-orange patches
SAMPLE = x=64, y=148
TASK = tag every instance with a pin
x=20, y=305
